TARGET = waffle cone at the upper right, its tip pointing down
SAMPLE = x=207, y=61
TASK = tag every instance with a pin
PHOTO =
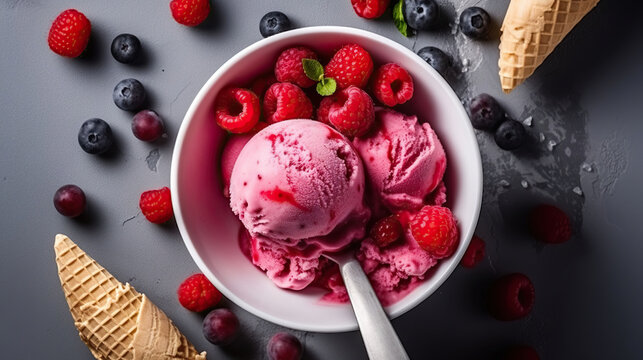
x=530, y=32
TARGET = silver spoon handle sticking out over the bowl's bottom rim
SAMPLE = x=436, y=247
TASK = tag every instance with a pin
x=378, y=334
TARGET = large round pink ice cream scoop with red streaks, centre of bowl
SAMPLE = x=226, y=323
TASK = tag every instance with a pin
x=297, y=181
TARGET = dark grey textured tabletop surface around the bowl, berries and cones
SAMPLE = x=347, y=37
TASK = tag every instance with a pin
x=586, y=98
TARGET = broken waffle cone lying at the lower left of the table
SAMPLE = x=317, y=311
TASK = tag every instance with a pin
x=113, y=319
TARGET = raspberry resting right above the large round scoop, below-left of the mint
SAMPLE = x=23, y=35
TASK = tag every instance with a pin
x=284, y=101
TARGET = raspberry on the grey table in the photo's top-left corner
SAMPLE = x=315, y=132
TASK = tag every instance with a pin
x=69, y=33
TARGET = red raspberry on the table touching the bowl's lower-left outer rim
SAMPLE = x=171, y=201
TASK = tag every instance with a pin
x=196, y=293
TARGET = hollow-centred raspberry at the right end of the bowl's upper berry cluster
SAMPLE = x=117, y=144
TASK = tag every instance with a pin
x=392, y=85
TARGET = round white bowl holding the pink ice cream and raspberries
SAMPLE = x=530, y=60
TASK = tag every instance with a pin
x=209, y=229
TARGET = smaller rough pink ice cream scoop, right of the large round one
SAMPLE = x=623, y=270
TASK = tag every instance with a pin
x=404, y=160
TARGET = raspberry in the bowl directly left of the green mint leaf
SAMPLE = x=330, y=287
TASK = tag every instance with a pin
x=289, y=67
